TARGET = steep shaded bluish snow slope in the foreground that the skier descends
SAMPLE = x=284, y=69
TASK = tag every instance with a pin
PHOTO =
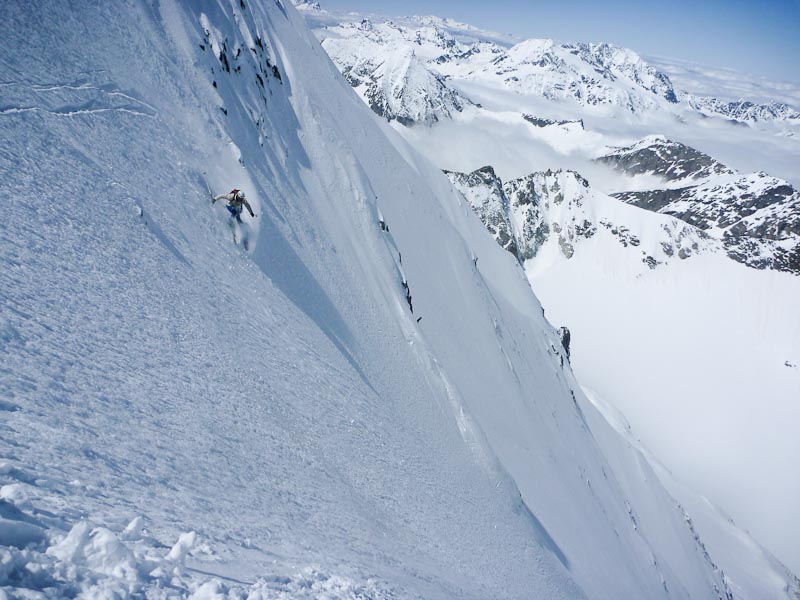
x=282, y=406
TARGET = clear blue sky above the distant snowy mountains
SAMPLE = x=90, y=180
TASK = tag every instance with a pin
x=761, y=38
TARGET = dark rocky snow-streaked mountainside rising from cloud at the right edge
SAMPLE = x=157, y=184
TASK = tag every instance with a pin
x=757, y=217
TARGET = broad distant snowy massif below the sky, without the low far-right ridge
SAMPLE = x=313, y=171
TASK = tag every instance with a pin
x=590, y=74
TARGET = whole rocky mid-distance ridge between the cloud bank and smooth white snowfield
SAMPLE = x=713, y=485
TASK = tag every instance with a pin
x=755, y=218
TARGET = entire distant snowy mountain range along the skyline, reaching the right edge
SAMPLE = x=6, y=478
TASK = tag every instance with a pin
x=589, y=74
